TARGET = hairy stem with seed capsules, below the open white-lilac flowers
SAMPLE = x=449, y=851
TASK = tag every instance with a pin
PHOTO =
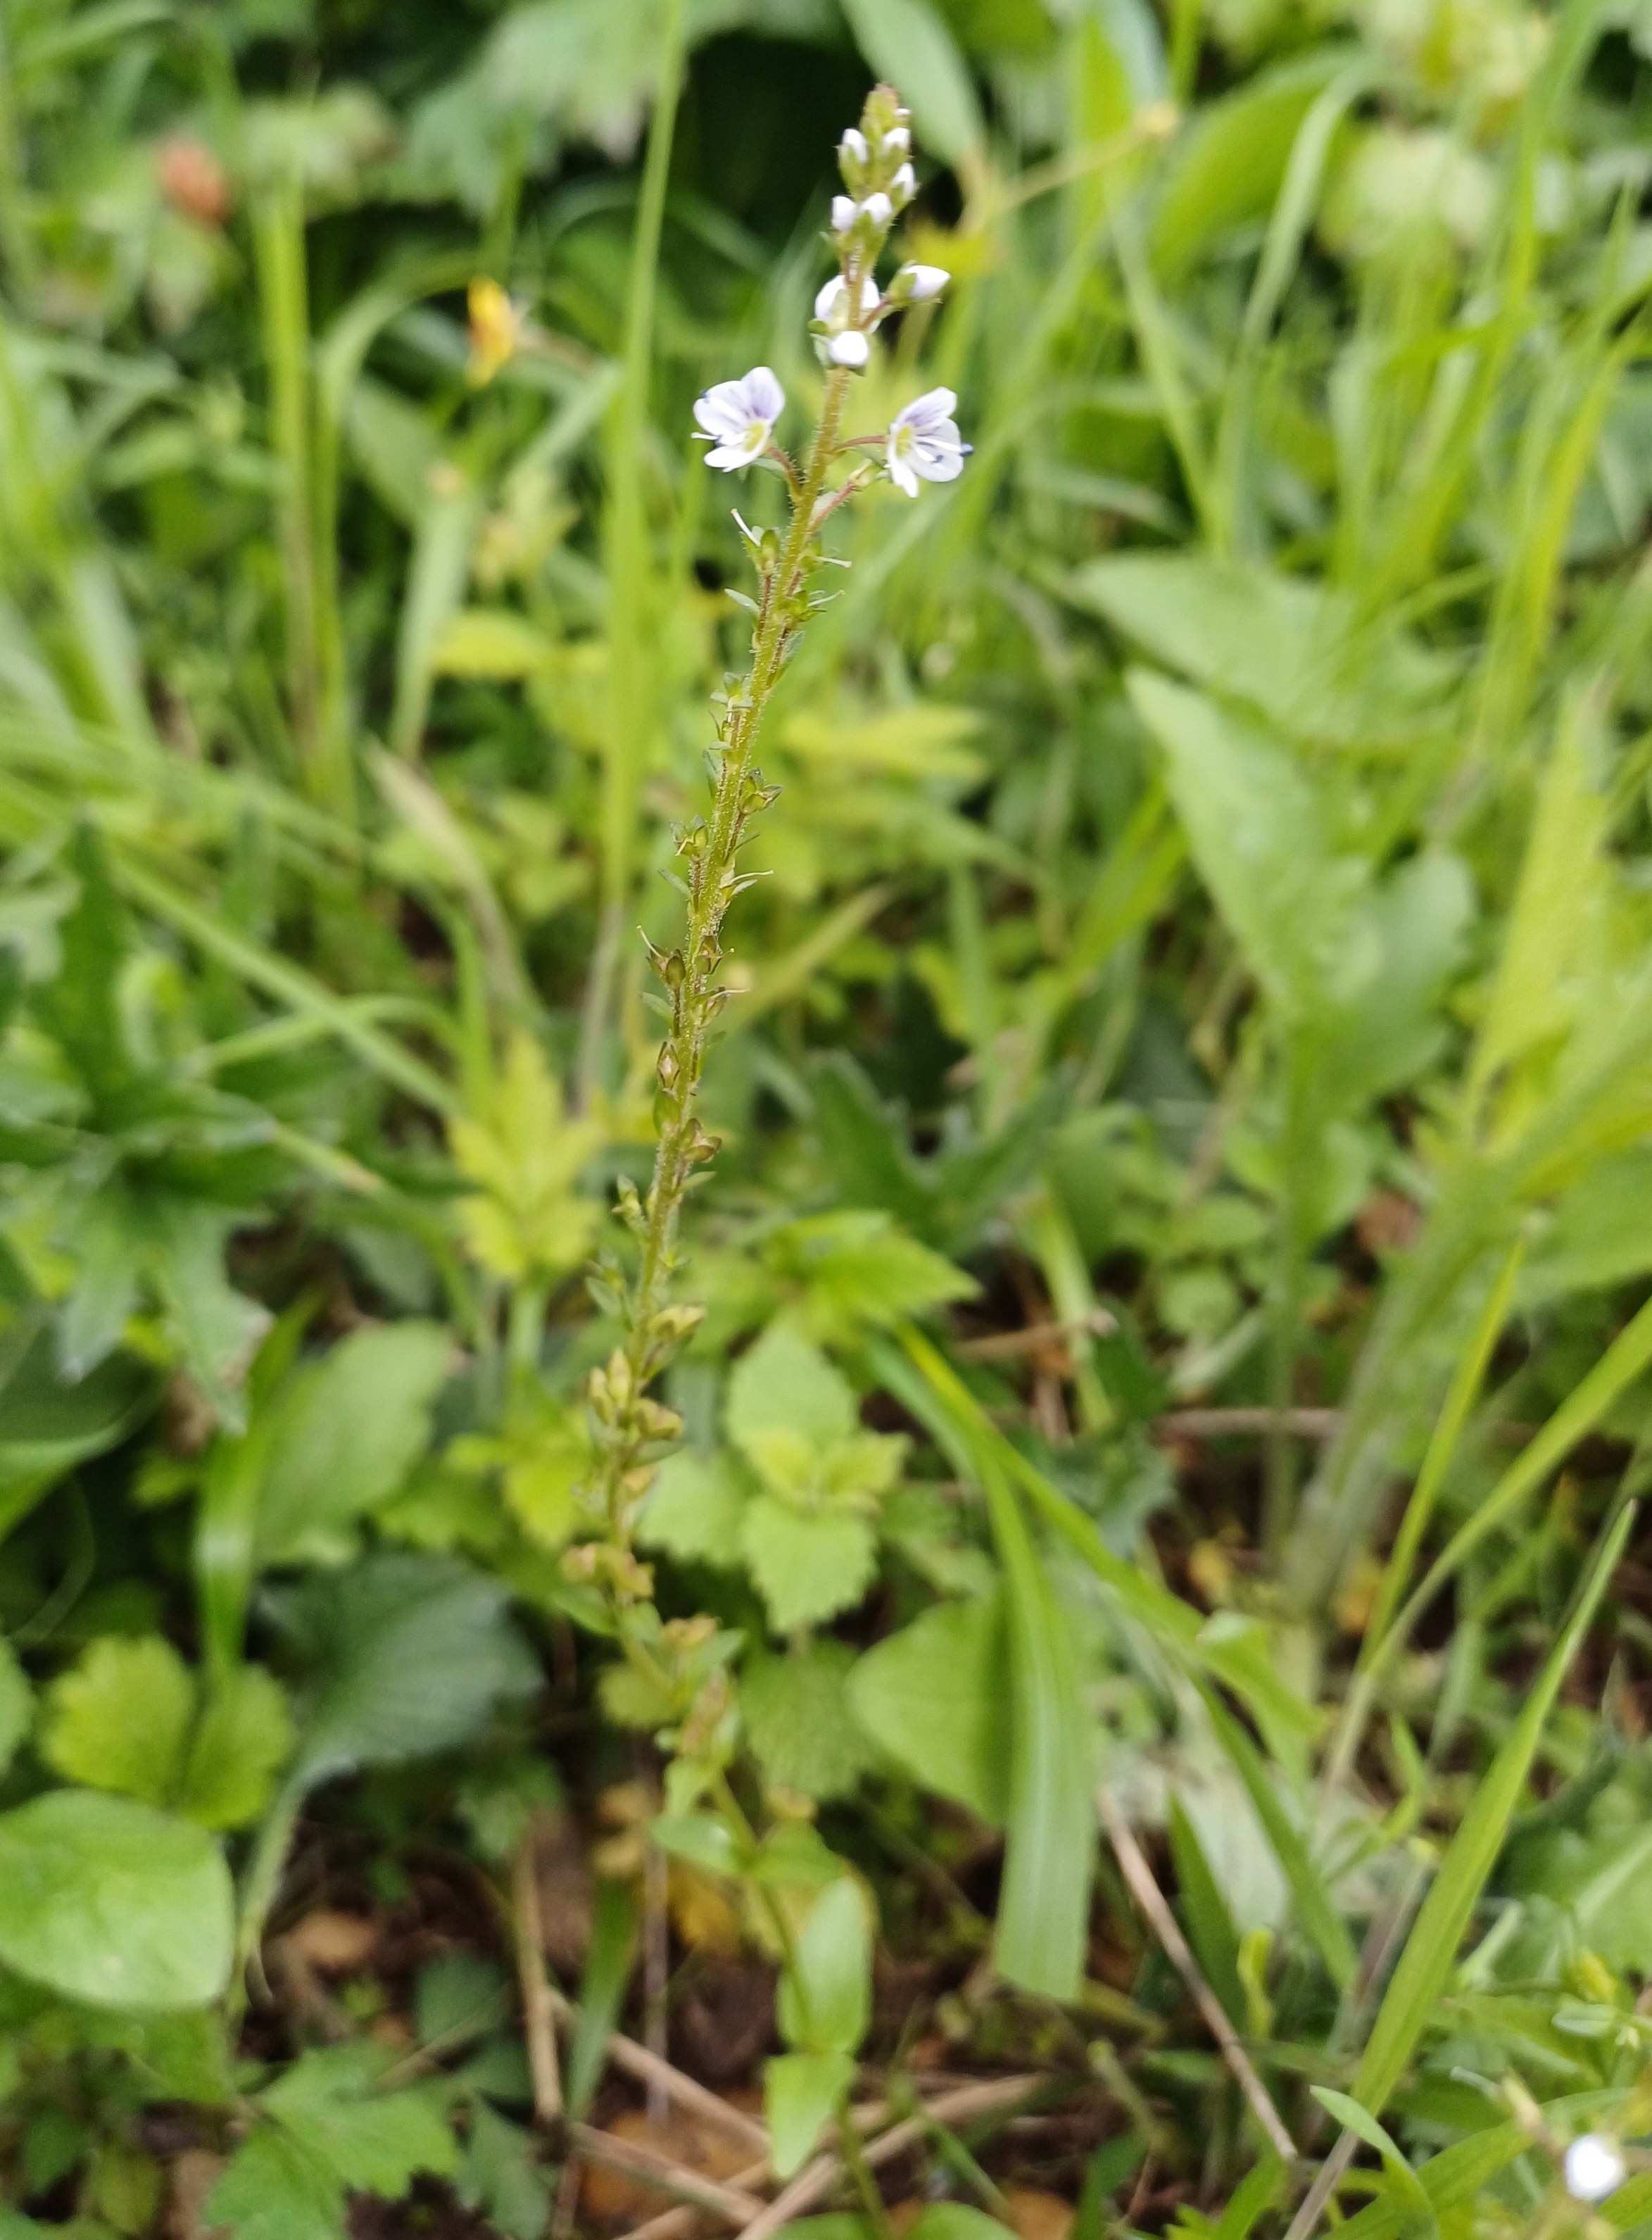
x=711, y=855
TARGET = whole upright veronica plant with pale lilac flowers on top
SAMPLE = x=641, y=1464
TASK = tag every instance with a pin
x=675, y=1677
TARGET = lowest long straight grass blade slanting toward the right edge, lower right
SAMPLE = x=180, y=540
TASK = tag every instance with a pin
x=1432, y=1950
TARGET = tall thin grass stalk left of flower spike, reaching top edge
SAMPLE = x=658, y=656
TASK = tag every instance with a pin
x=628, y=563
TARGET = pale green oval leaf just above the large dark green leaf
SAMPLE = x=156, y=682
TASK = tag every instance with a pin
x=344, y=1437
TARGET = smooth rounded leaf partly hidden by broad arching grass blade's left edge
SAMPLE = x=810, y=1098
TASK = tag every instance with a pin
x=937, y=1699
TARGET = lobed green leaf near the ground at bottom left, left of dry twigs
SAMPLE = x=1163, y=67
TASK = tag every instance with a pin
x=373, y=2140
